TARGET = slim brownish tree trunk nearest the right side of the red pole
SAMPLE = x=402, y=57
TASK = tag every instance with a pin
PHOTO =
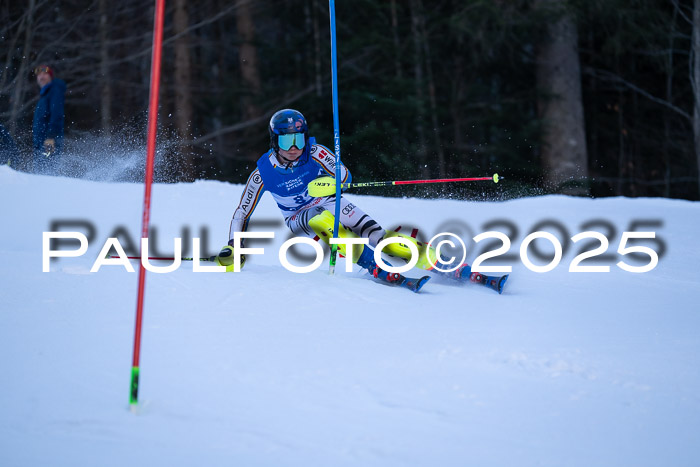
x=183, y=90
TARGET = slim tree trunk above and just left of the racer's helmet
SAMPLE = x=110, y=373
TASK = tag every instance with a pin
x=248, y=59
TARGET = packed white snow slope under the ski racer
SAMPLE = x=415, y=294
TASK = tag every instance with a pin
x=270, y=367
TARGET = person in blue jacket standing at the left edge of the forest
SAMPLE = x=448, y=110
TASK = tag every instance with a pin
x=48, y=120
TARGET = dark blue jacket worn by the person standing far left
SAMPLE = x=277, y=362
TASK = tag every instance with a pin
x=49, y=114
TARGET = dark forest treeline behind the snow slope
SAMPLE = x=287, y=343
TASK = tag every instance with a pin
x=583, y=96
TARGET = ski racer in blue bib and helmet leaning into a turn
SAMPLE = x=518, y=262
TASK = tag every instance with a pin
x=285, y=170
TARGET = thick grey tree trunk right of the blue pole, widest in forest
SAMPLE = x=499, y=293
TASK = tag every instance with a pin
x=564, y=155
